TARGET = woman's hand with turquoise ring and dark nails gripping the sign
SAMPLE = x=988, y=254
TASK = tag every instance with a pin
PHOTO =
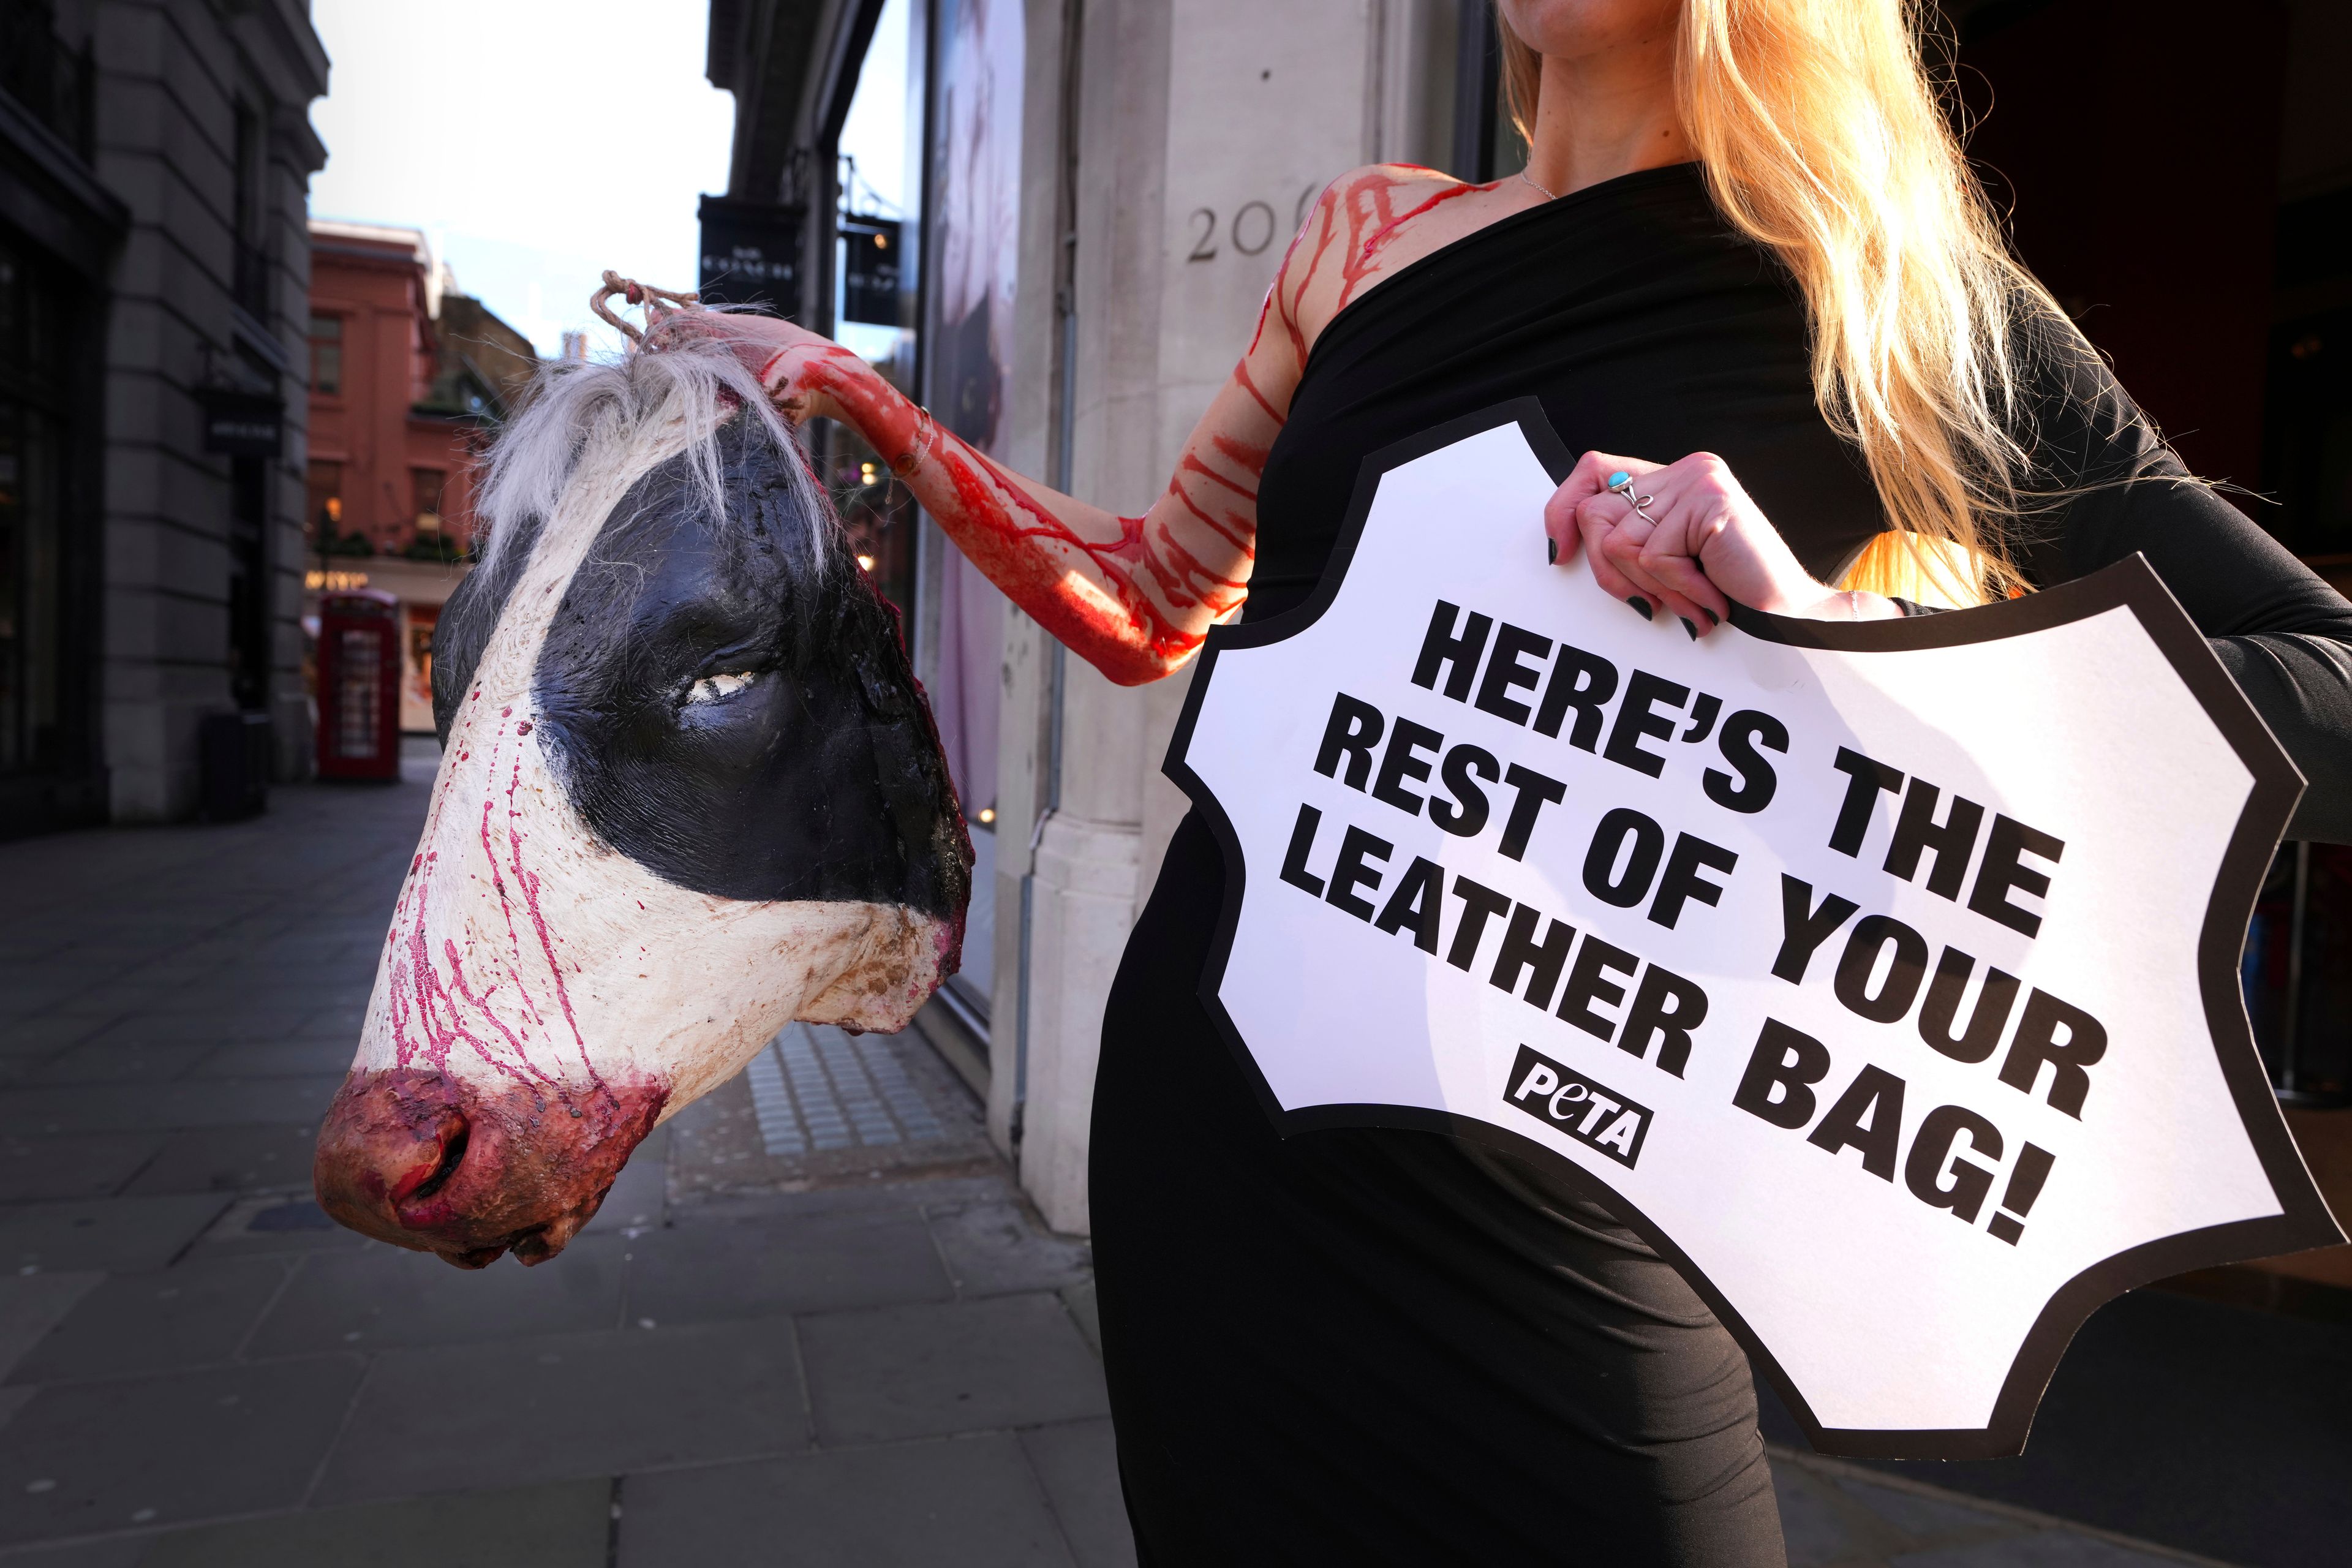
x=1702, y=547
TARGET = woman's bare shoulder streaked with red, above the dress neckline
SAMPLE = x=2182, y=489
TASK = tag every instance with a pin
x=1370, y=225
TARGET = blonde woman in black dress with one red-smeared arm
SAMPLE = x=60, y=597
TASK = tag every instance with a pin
x=1744, y=243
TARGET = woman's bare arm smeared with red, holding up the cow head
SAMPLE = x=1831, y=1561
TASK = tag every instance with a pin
x=1130, y=596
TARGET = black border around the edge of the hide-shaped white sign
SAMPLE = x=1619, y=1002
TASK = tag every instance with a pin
x=2130, y=584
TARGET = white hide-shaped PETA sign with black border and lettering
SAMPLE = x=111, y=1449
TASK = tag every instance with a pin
x=1885, y=977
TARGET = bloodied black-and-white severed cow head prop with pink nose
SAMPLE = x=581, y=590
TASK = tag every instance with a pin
x=690, y=793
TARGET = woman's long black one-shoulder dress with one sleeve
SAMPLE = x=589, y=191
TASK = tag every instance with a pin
x=1394, y=1348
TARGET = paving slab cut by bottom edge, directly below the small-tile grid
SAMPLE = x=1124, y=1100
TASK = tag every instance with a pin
x=965, y=1503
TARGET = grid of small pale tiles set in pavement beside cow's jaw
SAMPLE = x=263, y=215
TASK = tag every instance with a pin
x=817, y=1087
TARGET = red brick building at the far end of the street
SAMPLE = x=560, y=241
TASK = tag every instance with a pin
x=406, y=382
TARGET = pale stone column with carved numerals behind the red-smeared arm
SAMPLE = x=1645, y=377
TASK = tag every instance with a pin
x=1205, y=130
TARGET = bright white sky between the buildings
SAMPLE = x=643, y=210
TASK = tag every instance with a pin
x=537, y=142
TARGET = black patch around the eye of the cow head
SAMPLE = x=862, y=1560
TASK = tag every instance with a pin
x=733, y=730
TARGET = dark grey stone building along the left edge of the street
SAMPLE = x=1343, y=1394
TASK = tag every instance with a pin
x=154, y=264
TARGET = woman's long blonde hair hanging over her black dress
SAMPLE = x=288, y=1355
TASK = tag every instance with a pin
x=1824, y=140
